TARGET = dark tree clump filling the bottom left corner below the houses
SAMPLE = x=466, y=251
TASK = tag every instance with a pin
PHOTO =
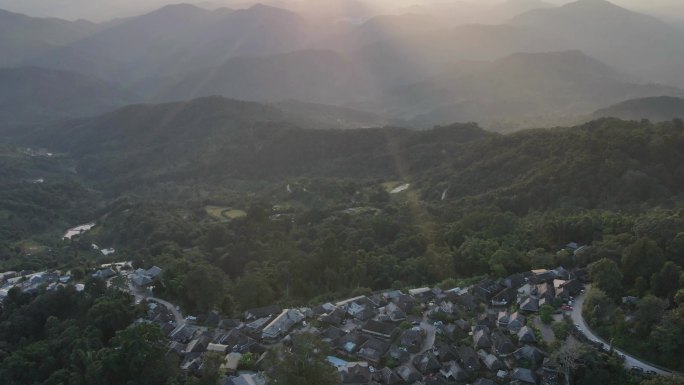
x=80, y=338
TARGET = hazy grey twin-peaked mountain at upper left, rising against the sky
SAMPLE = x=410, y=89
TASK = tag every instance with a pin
x=182, y=38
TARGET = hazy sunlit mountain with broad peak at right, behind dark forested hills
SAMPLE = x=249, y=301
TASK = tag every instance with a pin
x=524, y=84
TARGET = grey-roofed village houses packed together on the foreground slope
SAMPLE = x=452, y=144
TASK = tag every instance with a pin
x=477, y=335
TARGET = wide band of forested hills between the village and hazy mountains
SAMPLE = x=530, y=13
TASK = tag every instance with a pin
x=243, y=208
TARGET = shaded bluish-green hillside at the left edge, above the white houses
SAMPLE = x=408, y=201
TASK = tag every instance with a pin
x=40, y=196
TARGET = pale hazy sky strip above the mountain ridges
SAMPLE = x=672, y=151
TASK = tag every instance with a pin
x=100, y=10
